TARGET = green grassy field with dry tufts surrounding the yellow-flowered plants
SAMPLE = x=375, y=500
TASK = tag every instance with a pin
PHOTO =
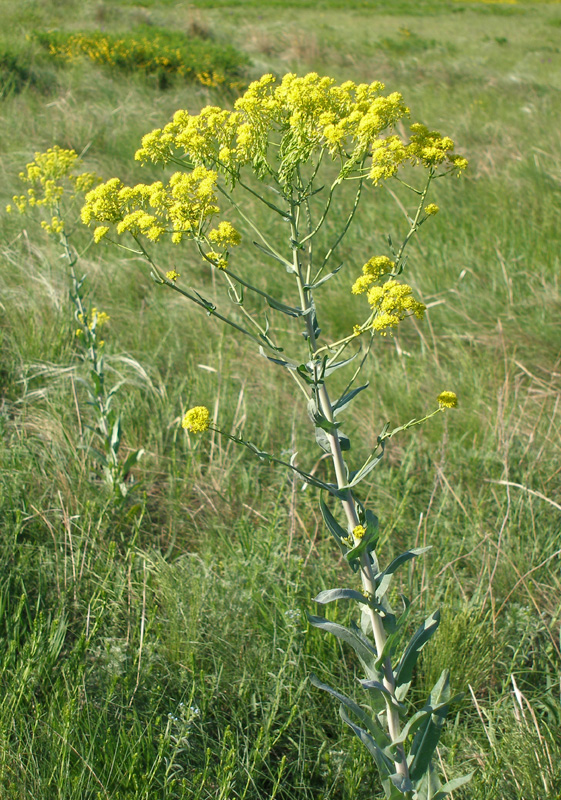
x=159, y=648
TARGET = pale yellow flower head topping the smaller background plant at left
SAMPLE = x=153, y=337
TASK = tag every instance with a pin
x=48, y=177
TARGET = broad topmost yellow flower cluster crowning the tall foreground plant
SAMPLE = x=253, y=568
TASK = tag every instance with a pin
x=303, y=115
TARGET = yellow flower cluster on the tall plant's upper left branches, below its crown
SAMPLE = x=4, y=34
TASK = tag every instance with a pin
x=180, y=208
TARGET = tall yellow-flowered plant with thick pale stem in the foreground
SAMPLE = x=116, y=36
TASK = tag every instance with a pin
x=277, y=147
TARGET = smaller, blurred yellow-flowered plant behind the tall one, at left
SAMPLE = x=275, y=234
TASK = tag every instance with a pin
x=53, y=185
